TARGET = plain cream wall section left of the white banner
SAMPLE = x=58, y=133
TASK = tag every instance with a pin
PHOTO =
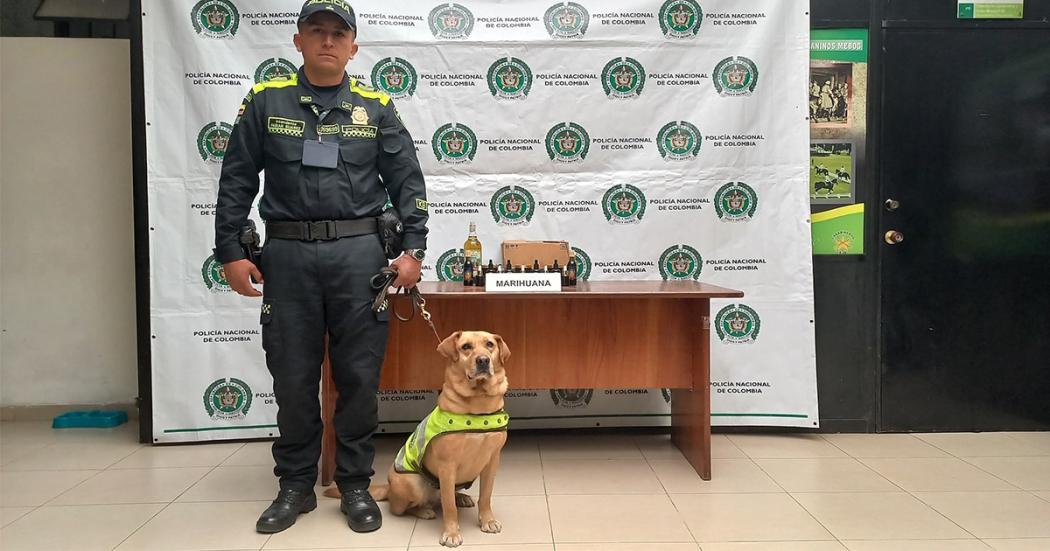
x=67, y=262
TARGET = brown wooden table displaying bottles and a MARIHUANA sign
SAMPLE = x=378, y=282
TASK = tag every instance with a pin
x=597, y=335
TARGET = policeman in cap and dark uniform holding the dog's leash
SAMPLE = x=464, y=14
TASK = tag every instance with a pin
x=333, y=151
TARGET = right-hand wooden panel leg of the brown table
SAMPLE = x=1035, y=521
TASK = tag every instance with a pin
x=691, y=408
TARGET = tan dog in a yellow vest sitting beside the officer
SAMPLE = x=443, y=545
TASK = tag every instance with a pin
x=458, y=443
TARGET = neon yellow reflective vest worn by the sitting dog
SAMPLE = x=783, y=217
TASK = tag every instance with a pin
x=410, y=459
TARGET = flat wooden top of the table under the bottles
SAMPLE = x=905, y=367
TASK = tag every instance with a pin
x=590, y=290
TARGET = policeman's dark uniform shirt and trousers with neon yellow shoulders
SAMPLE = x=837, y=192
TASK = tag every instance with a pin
x=319, y=287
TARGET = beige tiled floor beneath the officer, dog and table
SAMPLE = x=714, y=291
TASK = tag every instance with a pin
x=100, y=490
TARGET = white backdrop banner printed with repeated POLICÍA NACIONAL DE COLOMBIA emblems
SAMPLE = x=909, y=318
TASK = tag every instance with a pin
x=665, y=140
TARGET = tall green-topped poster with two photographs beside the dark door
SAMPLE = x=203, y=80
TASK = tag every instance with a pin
x=838, y=128
